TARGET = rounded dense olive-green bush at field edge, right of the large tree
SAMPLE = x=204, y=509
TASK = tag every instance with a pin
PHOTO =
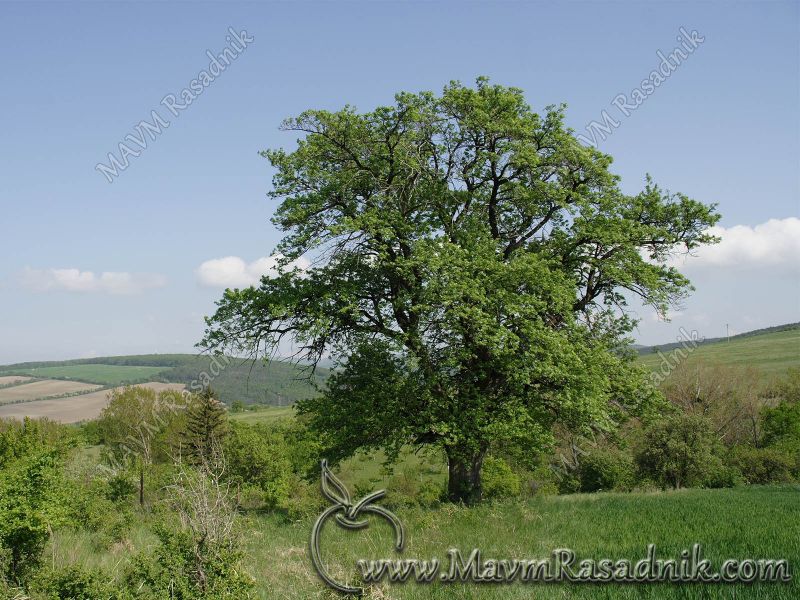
x=680, y=451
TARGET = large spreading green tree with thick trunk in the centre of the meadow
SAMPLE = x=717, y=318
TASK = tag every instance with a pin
x=470, y=266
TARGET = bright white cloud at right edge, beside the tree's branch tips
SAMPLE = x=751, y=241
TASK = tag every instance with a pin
x=775, y=243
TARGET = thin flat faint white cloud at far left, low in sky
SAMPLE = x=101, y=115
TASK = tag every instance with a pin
x=75, y=280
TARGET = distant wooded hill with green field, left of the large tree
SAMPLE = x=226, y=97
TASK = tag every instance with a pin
x=272, y=382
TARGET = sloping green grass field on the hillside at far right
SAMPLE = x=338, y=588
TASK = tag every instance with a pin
x=771, y=353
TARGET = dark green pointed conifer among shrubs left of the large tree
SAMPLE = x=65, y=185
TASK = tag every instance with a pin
x=206, y=426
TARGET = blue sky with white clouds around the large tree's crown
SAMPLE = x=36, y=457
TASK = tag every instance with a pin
x=90, y=267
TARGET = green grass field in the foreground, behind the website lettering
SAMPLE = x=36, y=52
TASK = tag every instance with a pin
x=754, y=522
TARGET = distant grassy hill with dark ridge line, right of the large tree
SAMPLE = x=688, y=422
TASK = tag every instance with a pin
x=771, y=350
